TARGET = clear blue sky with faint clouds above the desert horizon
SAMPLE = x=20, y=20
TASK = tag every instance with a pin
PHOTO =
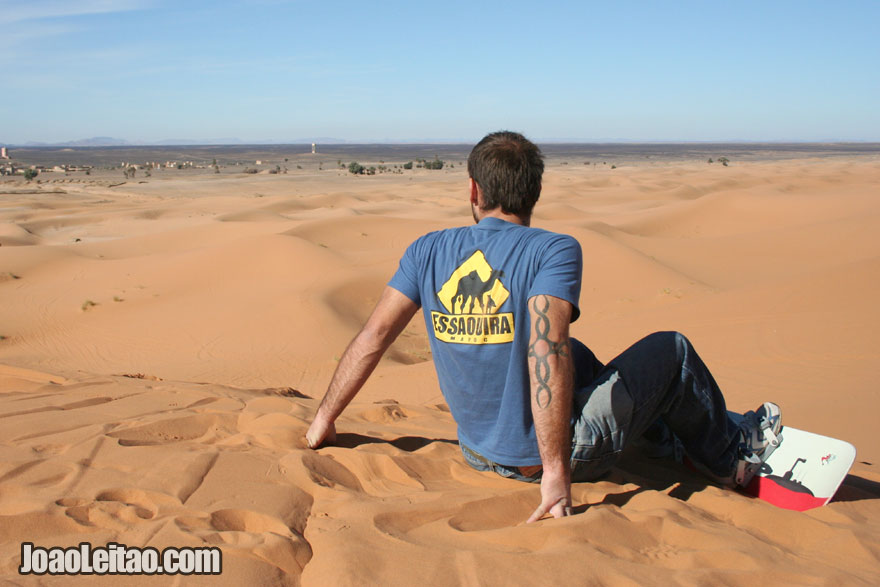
x=150, y=70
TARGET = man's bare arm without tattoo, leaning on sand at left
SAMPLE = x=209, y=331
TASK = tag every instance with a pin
x=390, y=316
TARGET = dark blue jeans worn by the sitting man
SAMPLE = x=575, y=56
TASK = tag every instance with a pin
x=658, y=387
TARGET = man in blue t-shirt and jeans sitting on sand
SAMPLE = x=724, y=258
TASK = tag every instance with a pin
x=530, y=402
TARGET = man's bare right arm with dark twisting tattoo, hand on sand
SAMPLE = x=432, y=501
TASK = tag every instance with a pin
x=552, y=377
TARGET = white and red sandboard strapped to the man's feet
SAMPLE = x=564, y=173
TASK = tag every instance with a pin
x=804, y=471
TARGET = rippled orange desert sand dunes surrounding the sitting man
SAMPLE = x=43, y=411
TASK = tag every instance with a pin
x=166, y=341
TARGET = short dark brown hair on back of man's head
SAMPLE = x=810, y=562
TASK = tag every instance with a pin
x=508, y=168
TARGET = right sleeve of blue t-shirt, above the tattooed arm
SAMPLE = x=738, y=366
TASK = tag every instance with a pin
x=559, y=274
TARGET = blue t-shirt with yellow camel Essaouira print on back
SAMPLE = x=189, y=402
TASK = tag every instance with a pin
x=473, y=284
